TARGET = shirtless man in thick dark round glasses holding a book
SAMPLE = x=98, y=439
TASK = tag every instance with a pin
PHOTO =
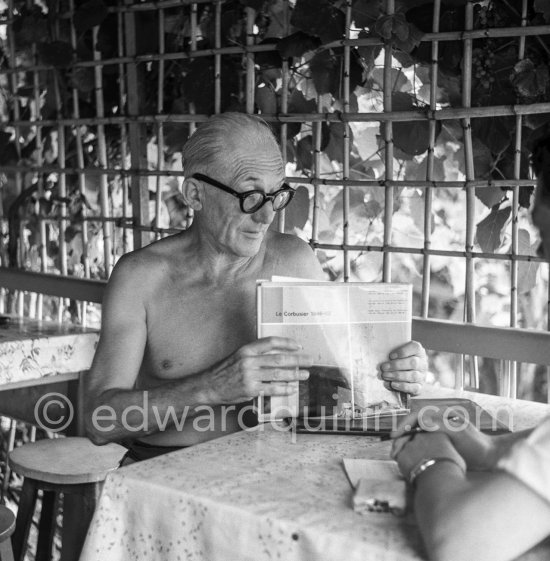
x=179, y=315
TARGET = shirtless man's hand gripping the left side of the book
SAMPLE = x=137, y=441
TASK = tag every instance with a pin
x=265, y=366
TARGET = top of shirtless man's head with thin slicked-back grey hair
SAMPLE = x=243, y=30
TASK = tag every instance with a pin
x=216, y=142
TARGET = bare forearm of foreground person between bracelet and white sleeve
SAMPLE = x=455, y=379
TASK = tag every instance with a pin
x=493, y=517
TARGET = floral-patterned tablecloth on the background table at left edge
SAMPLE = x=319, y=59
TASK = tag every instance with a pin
x=31, y=350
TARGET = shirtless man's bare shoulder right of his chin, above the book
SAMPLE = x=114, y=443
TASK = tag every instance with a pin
x=294, y=255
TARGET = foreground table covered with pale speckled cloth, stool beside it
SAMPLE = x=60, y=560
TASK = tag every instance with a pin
x=258, y=496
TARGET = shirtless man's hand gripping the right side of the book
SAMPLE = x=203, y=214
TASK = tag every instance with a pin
x=406, y=369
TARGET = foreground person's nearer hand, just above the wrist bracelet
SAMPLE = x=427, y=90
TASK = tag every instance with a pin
x=410, y=451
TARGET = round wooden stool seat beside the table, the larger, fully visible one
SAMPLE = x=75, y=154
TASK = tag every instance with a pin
x=66, y=461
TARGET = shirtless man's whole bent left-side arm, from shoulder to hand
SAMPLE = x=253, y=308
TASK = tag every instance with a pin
x=115, y=408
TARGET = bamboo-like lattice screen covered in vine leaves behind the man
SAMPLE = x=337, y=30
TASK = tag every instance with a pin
x=405, y=127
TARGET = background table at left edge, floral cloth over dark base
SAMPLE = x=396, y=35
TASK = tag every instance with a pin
x=39, y=357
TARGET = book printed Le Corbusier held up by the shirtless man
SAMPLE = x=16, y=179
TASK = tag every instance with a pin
x=348, y=329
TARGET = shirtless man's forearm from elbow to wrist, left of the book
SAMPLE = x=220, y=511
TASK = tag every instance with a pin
x=116, y=414
